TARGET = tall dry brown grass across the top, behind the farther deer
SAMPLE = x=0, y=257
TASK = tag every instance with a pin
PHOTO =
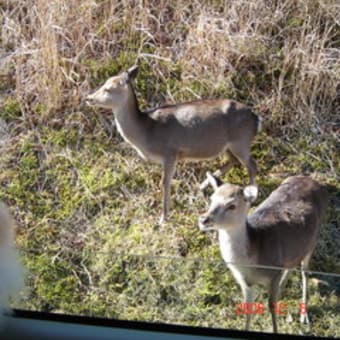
x=281, y=56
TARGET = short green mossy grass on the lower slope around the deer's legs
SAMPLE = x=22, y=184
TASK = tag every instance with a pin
x=90, y=239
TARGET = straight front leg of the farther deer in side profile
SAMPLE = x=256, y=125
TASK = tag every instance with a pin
x=169, y=166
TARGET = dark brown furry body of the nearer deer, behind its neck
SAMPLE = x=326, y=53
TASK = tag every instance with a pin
x=278, y=225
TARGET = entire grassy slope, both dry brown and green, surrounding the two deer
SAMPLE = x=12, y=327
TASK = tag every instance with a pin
x=85, y=204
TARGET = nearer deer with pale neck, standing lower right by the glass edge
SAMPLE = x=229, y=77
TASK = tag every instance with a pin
x=262, y=247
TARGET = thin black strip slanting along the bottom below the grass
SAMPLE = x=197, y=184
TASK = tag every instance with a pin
x=154, y=327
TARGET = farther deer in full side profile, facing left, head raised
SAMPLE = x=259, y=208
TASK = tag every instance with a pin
x=194, y=131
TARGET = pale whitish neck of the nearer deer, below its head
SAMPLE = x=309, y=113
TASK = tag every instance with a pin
x=235, y=243
